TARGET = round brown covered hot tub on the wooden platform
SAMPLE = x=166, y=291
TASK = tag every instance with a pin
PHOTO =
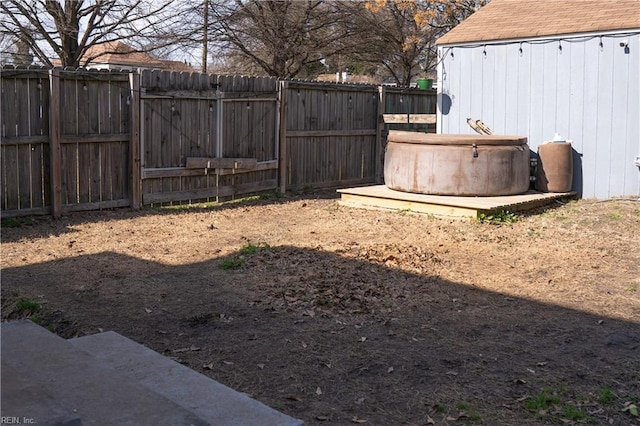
x=462, y=165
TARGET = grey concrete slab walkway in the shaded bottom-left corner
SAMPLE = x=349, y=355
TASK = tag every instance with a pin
x=107, y=379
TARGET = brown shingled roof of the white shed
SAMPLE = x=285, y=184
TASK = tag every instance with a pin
x=514, y=19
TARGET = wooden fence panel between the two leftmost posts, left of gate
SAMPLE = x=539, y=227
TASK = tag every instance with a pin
x=94, y=126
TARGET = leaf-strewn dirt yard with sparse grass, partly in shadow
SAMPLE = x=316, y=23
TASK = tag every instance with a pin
x=344, y=316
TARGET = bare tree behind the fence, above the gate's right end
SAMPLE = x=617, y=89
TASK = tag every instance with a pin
x=282, y=38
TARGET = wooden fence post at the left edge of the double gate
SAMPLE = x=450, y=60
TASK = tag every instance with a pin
x=134, y=141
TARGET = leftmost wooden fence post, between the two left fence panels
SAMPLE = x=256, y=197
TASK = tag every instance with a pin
x=54, y=143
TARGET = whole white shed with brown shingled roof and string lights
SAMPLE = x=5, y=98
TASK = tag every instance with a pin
x=540, y=67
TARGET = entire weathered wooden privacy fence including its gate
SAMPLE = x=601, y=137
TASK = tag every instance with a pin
x=82, y=140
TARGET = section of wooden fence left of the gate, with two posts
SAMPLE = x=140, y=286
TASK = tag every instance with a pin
x=66, y=141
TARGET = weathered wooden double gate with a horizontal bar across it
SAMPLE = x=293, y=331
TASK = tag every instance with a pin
x=207, y=136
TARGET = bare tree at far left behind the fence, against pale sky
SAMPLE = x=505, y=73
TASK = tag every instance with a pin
x=67, y=29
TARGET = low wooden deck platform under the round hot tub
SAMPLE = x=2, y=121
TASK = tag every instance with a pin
x=381, y=197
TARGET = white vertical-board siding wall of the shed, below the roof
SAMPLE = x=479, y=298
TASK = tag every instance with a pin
x=586, y=93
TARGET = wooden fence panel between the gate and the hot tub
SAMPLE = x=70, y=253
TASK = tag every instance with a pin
x=330, y=135
